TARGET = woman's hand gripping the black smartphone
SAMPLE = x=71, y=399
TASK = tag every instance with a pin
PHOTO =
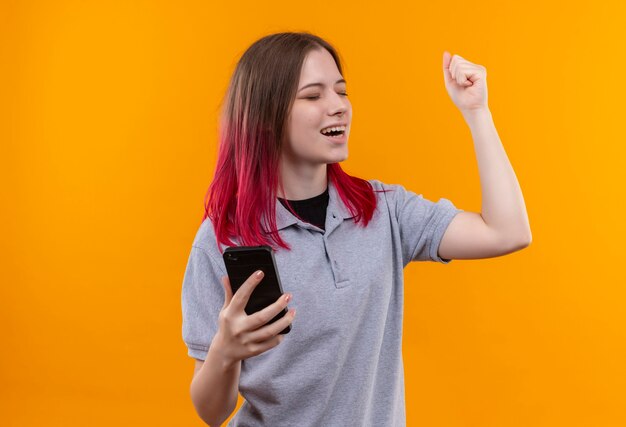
x=240, y=335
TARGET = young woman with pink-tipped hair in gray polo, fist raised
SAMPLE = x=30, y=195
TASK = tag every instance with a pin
x=340, y=243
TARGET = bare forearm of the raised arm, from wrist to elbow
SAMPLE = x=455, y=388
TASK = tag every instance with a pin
x=503, y=207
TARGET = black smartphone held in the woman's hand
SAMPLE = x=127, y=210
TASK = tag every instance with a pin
x=241, y=262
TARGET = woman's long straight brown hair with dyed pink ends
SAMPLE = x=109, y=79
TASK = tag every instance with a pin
x=261, y=92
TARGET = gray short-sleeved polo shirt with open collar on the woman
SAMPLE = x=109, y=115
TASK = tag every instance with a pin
x=341, y=364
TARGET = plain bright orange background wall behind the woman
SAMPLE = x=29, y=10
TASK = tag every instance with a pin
x=108, y=133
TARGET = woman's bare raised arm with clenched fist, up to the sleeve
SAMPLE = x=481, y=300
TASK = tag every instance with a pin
x=502, y=226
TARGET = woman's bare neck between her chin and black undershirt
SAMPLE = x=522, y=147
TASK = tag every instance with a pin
x=302, y=181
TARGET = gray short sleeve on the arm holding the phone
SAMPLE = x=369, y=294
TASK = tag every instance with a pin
x=202, y=300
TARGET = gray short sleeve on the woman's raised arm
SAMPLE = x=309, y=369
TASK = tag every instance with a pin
x=422, y=223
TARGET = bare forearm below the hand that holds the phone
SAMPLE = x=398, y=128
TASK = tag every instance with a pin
x=215, y=387
